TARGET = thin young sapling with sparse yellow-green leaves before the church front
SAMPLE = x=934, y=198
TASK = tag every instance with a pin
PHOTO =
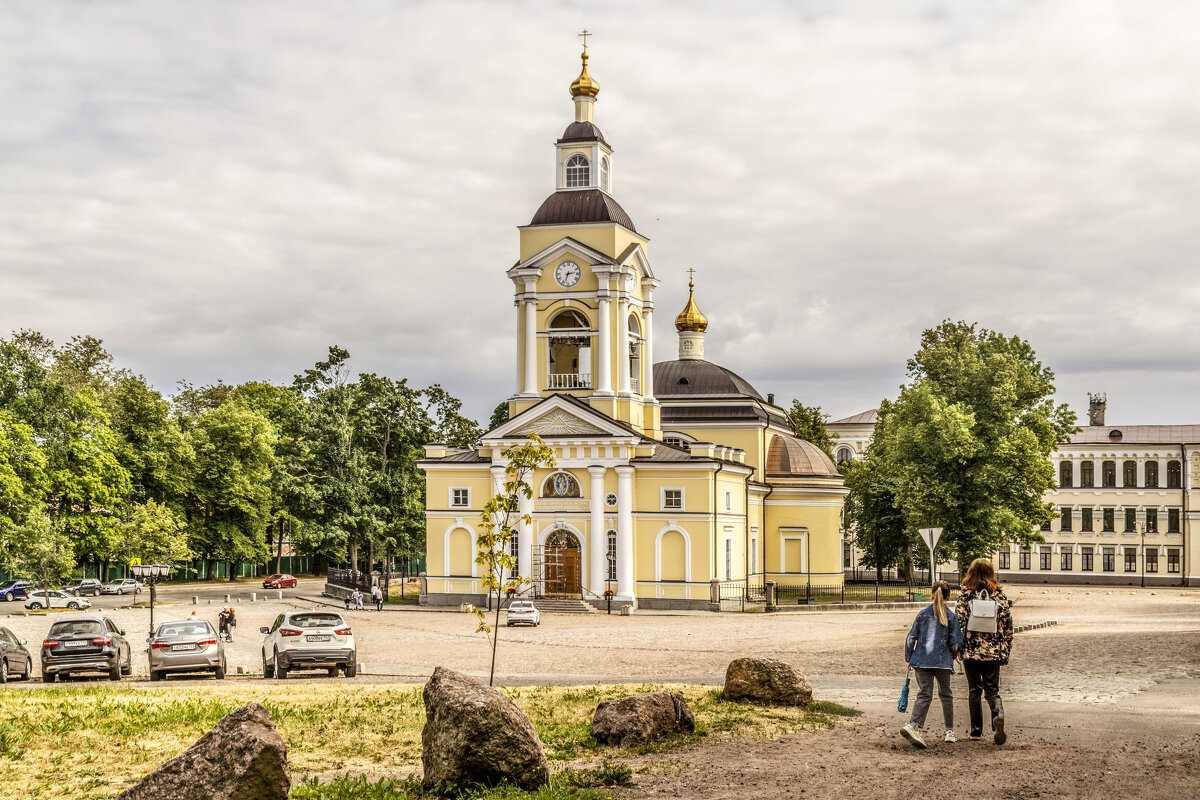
x=497, y=526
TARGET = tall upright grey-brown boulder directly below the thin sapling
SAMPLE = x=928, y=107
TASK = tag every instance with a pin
x=476, y=736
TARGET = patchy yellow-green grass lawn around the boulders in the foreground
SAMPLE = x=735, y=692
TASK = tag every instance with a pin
x=94, y=741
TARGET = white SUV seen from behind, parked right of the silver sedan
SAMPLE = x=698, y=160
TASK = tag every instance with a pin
x=309, y=641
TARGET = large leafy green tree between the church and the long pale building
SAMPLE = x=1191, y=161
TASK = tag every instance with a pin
x=967, y=444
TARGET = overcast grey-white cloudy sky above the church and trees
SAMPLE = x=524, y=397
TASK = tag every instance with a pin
x=224, y=190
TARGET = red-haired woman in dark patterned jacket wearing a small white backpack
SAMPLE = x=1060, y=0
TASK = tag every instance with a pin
x=986, y=615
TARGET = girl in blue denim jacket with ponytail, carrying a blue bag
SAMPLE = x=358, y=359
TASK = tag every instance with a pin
x=933, y=643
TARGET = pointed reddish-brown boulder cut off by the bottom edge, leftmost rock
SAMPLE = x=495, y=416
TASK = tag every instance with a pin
x=243, y=759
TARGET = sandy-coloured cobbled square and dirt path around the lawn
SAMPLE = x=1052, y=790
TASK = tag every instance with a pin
x=1105, y=705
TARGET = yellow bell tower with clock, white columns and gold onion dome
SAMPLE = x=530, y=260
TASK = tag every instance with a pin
x=584, y=286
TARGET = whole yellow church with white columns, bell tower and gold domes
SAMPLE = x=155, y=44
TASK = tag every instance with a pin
x=673, y=479
